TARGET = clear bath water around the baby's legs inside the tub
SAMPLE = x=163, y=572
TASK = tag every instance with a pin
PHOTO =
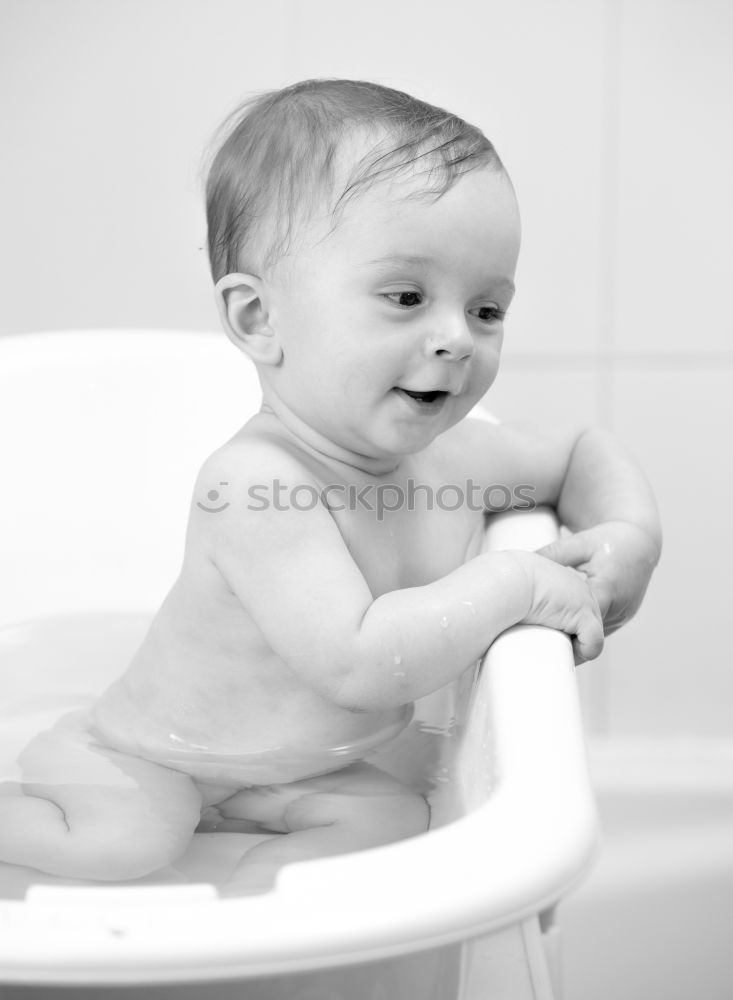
x=52, y=667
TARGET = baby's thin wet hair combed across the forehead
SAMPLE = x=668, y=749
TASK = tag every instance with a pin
x=279, y=153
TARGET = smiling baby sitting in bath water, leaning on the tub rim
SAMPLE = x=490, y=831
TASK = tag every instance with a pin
x=363, y=245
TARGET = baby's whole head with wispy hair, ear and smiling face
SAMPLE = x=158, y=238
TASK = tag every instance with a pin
x=330, y=204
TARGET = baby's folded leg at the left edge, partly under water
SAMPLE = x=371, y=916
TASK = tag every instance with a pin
x=86, y=812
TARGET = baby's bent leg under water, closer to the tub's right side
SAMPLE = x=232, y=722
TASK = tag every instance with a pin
x=351, y=810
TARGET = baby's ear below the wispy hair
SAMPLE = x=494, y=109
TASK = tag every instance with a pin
x=243, y=312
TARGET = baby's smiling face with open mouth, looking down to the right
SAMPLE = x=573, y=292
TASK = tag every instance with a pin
x=391, y=327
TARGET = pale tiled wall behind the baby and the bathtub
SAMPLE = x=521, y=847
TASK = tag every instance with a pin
x=613, y=119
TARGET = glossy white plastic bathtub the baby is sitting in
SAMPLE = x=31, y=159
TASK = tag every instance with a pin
x=102, y=434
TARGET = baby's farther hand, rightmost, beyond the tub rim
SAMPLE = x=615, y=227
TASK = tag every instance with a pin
x=617, y=558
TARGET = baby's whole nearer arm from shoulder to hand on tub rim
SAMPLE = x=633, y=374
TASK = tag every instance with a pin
x=295, y=576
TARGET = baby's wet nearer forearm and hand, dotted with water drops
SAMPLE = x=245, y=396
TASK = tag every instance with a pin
x=434, y=632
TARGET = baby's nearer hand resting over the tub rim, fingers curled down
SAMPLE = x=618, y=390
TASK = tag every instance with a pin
x=561, y=599
